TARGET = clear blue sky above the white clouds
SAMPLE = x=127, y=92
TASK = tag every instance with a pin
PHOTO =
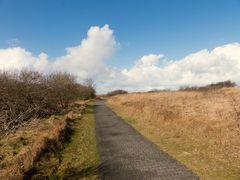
x=174, y=28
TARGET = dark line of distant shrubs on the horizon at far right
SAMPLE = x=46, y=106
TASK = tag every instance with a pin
x=212, y=86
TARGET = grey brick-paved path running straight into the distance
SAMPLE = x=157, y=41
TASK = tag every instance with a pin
x=125, y=154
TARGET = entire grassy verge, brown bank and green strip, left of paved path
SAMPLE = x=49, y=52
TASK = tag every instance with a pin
x=59, y=147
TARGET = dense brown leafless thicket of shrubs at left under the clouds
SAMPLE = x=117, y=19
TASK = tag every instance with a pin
x=30, y=94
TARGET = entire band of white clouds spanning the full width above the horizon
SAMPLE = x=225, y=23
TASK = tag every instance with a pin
x=88, y=59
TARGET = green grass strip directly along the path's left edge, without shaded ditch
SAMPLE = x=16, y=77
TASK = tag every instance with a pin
x=80, y=157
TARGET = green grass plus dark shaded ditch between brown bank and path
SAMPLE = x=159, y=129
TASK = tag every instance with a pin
x=78, y=157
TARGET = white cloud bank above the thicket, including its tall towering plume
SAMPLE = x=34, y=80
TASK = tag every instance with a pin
x=85, y=60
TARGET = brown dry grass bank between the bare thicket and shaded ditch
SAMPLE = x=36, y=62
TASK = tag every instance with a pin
x=20, y=150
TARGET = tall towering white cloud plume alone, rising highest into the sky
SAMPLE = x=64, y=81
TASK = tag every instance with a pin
x=87, y=59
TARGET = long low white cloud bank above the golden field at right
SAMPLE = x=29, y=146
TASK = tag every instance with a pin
x=200, y=68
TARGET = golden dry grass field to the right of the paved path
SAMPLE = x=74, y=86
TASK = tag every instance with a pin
x=199, y=128
